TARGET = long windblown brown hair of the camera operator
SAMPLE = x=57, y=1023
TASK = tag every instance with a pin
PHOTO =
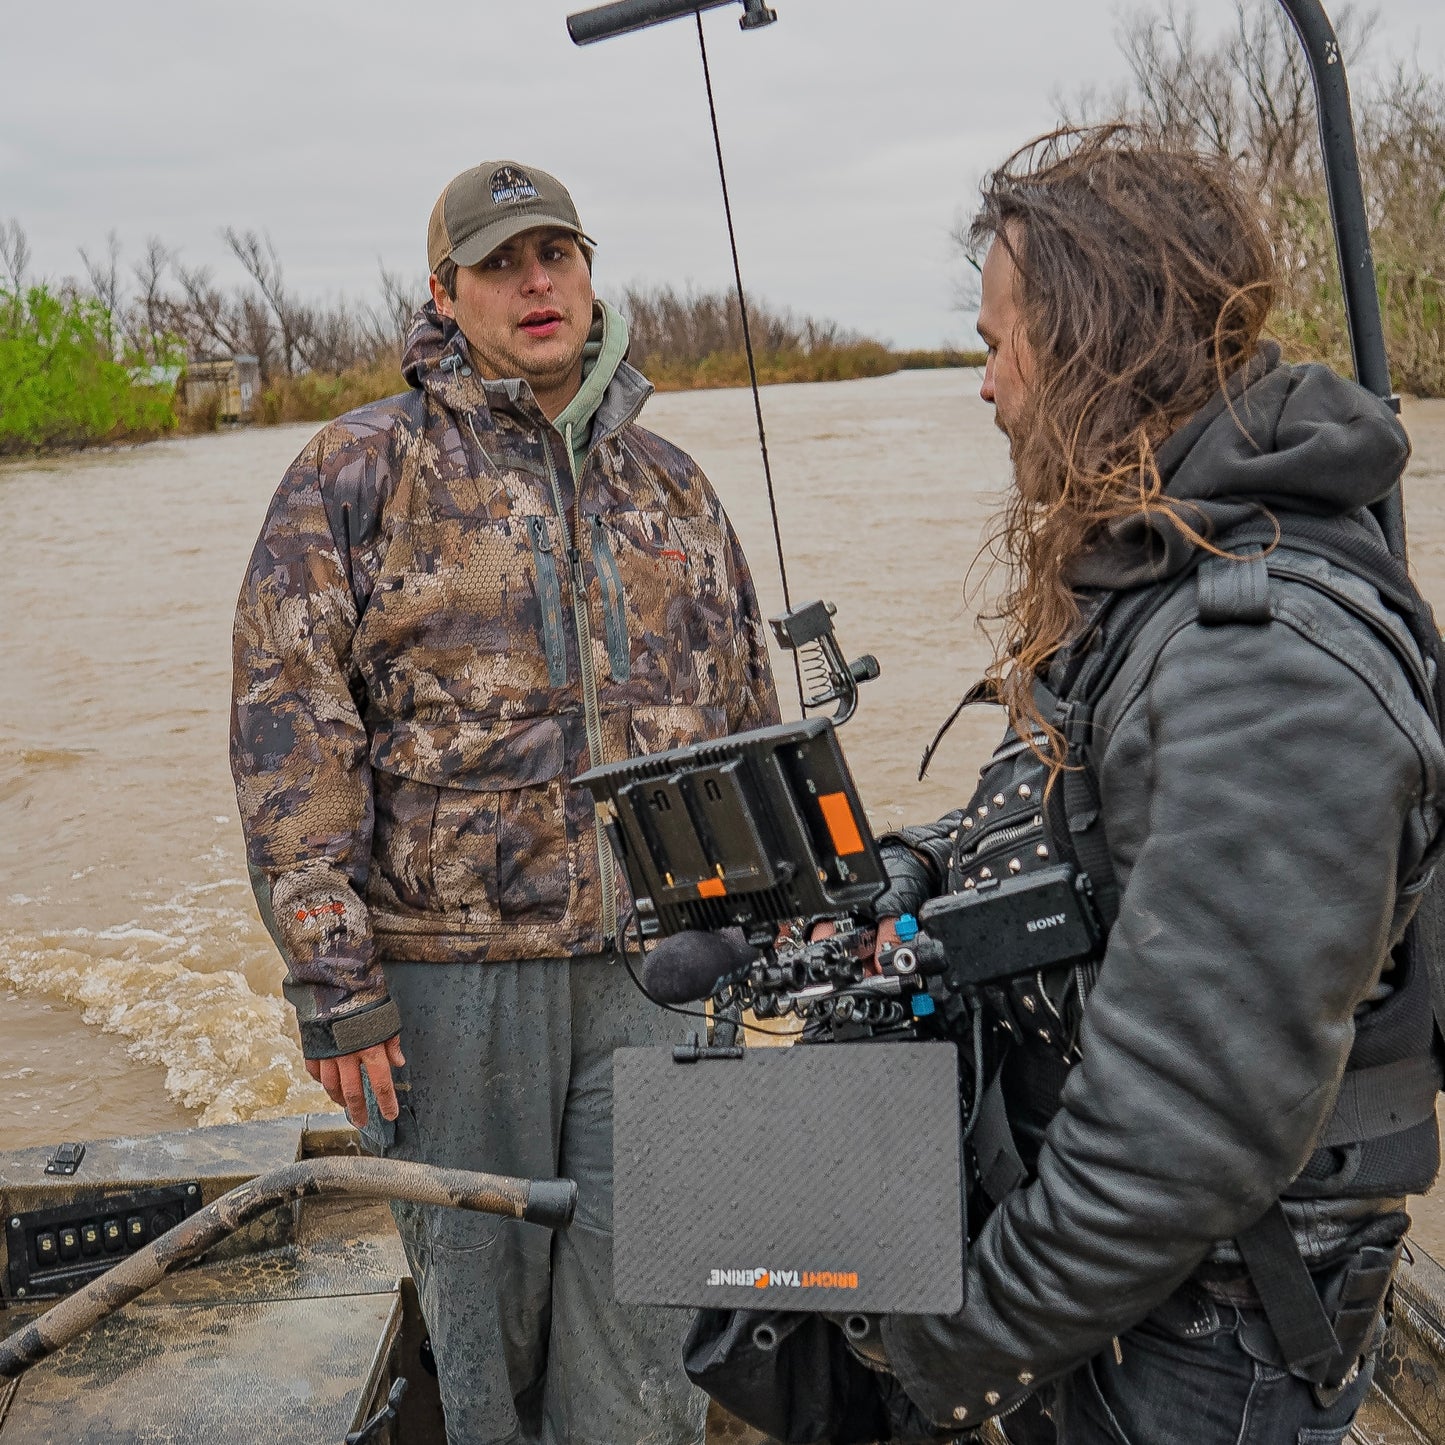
x=1145, y=278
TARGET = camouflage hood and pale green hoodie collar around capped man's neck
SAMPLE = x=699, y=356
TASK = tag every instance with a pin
x=436, y=359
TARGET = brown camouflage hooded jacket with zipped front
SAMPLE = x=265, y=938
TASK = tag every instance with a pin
x=439, y=629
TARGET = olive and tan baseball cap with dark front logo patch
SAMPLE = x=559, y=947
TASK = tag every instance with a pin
x=491, y=204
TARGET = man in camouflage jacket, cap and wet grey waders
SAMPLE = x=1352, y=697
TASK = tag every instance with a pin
x=463, y=598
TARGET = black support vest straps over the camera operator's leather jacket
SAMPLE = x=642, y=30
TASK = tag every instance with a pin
x=1384, y=1126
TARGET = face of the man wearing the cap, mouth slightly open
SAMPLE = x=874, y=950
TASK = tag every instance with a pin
x=527, y=310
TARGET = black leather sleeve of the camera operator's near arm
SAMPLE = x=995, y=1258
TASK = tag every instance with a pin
x=1256, y=791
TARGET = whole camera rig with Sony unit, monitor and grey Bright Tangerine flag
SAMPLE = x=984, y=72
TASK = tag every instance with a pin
x=803, y=1178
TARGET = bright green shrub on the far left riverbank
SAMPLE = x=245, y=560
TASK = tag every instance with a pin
x=60, y=381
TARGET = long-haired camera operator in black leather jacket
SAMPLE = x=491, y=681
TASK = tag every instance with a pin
x=1193, y=1167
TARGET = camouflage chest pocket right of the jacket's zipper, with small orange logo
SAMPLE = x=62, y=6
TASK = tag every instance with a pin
x=665, y=580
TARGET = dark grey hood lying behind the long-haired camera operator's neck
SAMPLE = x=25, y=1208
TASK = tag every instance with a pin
x=1287, y=439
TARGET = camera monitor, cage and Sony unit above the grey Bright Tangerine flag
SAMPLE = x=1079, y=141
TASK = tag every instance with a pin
x=764, y=832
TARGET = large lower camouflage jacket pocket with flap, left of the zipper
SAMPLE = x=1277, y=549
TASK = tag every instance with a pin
x=482, y=834
